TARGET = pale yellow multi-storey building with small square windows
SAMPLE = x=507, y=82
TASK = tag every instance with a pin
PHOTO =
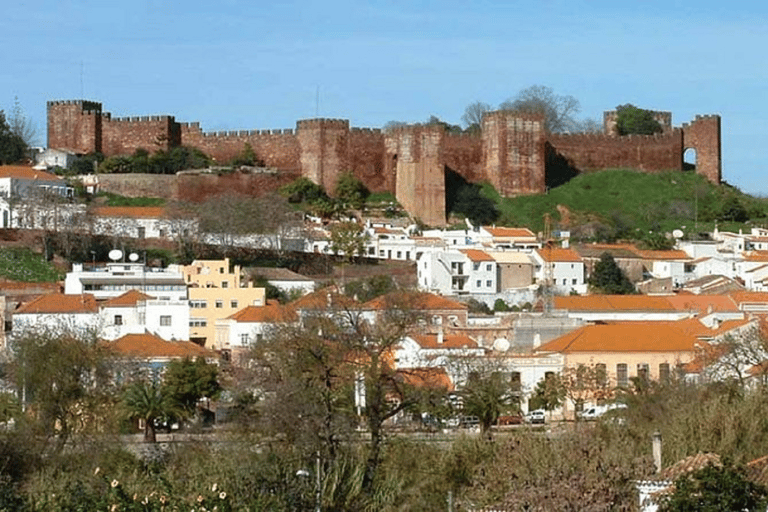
x=215, y=292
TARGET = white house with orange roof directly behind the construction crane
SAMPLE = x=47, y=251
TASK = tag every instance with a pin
x=562, y=268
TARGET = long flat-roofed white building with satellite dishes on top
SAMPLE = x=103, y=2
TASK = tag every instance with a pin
x=117, y=277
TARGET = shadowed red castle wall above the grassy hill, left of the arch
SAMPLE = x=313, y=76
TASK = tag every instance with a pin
x=588, y=152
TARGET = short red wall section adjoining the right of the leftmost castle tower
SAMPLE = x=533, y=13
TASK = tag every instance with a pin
x=124, y=135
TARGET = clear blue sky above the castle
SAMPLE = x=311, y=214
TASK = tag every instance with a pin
x=255, y=65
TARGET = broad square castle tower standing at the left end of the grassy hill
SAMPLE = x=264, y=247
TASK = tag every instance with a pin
x=514, y=152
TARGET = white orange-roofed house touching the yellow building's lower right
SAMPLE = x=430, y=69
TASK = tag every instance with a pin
x=237, y=333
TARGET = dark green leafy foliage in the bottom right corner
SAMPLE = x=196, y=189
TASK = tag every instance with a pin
x=713, y=489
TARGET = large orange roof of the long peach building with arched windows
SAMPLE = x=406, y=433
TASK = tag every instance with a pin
x=626, y=337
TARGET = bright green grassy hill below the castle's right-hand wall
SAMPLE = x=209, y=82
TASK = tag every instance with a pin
x=629, y=204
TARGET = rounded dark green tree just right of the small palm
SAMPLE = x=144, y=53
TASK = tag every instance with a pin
x=186, y=381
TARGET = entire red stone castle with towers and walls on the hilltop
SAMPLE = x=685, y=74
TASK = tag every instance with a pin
x=513, y=151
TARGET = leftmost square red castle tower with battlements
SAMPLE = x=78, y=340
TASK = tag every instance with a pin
x=75, y=125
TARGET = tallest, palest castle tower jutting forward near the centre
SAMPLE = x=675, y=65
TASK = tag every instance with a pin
x=416, y=155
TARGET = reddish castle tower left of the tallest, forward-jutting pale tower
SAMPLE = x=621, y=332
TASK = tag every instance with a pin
x=324, y=150
